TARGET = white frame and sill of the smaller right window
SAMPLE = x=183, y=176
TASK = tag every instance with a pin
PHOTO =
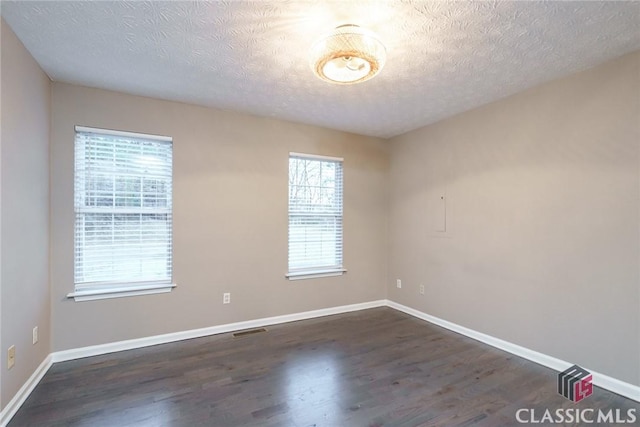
x=316, y=271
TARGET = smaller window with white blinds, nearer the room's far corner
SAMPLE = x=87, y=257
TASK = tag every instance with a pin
x=315, y=216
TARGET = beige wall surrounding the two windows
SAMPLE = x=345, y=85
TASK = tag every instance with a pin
x=230, y=218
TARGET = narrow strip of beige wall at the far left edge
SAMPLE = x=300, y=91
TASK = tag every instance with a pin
x=24, y=276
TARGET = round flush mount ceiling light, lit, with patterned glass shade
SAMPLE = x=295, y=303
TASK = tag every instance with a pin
x=350, y=54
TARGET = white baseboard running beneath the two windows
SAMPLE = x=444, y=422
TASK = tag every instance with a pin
x=96, y=350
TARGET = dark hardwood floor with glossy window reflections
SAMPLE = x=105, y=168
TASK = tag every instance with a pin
x=375, y=367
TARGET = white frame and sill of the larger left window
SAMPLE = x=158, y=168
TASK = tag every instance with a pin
x=95, y=290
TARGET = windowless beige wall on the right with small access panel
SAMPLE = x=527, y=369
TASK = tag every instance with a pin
x=542, y=209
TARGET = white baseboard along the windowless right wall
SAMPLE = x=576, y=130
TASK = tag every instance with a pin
x=619, y=387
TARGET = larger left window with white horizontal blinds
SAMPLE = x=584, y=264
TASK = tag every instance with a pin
x=123, y=214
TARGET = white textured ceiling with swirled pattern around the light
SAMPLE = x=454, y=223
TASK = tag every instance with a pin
x=443, y=57
